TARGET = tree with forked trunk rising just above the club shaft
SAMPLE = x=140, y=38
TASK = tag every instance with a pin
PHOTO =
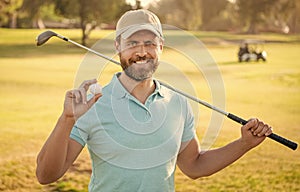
x=90, y=13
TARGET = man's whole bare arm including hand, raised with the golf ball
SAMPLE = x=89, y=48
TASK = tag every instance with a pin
x=59, y=151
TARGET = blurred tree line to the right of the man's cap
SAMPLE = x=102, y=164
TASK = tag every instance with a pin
x=249, y=16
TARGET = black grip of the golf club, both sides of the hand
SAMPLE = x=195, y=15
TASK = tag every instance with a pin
x=273, y=136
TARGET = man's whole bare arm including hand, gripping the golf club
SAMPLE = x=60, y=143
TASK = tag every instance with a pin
x=195, y=163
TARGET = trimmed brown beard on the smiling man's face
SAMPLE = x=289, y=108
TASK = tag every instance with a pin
x=139, y=73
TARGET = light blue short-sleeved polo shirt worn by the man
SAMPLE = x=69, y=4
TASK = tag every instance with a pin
x=134, y=146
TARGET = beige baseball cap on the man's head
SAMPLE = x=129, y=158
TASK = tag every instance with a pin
x=137, y=20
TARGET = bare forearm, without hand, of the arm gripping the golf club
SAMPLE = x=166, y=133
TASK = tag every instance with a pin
x=212, y=161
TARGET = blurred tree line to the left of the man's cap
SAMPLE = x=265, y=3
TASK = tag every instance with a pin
x=83, y=14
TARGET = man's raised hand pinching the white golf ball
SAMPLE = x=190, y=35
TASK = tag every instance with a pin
x=76, y=103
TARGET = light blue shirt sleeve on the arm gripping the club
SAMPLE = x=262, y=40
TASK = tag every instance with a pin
x=189, y=124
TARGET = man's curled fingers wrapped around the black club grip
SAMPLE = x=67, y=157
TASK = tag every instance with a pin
x=259, y=128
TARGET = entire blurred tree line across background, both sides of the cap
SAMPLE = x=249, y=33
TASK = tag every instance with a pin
x=249, y=16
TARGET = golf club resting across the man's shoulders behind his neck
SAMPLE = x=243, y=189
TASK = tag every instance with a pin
x=45, y=36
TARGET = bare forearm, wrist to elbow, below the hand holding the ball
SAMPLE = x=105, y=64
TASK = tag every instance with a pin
x=52, y=158
